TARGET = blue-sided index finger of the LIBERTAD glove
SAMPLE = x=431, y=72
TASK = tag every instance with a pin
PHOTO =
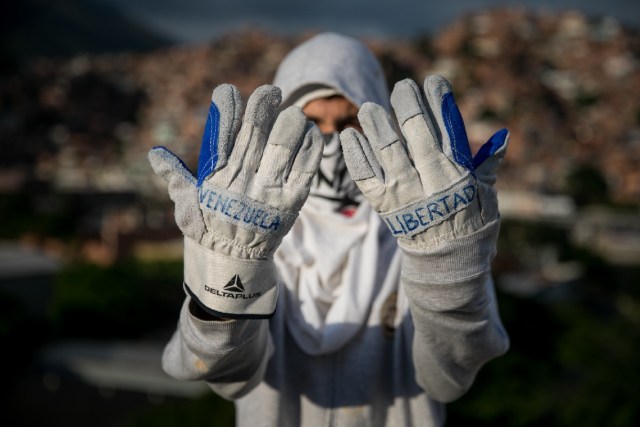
x=455, y=144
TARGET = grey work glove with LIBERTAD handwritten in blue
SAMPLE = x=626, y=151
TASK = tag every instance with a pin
x=430, y=189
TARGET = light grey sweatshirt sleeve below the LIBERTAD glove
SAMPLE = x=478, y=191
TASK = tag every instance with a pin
x=454, y=311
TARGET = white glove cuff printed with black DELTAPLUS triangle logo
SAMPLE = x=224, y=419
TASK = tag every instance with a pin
x=229, y=287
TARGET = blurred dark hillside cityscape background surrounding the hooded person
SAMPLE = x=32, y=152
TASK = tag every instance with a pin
x=91, y=260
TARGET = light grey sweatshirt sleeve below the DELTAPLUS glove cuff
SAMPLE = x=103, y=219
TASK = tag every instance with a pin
x=231, y=356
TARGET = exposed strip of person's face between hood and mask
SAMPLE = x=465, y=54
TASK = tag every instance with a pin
x=332, y=114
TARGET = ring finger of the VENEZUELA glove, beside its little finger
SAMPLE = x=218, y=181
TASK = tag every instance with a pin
x=283, y=142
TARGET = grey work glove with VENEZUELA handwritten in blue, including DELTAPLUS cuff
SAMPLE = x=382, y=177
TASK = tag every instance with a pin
x=253, y=177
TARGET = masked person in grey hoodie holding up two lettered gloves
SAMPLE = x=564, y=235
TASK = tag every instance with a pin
x=336, y=273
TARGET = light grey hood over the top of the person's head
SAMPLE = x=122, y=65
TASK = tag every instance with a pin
x=336, y=61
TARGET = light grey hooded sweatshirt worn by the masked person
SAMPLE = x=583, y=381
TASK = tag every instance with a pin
x=357, y=339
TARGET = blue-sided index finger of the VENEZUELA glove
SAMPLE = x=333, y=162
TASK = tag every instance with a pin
x=225, y=112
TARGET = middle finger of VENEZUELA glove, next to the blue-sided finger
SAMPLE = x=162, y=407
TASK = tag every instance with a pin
x=262, y=107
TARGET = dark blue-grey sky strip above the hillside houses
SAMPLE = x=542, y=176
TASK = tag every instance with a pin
x=203, y=20
